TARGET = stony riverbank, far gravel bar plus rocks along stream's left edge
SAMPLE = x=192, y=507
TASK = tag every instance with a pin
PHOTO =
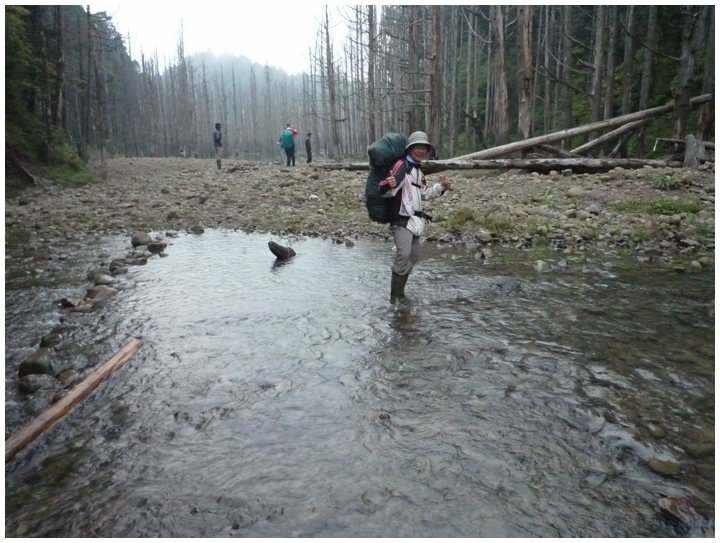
x=652, y=217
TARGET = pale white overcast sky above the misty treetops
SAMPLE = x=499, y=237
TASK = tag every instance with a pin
x=263, y=31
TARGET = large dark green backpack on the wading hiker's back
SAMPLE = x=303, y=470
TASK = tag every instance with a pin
x=383, y=155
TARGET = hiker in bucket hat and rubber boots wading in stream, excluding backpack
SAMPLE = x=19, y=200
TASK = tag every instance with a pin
x=406, y=186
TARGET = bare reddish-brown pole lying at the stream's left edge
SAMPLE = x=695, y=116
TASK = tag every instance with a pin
x=26, y=435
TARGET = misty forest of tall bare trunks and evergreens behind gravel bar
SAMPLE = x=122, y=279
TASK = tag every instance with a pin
x=471, y=76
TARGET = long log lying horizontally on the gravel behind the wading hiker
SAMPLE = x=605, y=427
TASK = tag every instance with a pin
x=540, y=165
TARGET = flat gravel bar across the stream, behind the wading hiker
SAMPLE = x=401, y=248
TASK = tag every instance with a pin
x=665, y=215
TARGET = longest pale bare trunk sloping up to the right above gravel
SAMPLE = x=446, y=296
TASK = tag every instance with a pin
x=579, y=131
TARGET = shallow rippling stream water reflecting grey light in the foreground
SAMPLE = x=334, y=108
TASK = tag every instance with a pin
x=294, y=401
